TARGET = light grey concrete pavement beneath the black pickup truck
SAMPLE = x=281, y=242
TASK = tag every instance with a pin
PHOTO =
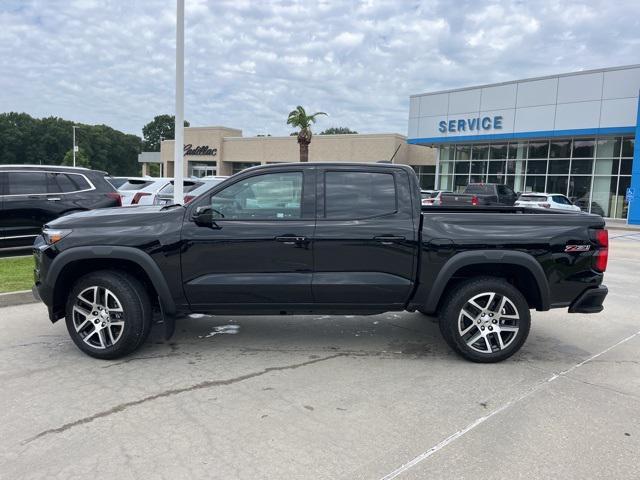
x=331, y=397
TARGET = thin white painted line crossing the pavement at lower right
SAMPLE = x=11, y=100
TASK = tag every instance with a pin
x=453, y=437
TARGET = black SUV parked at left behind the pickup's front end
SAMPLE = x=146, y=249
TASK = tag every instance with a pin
x=32, y=195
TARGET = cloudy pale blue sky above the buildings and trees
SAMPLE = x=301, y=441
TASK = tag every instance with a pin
x=248, y=63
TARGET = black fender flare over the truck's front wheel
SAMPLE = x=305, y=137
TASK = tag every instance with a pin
x=132, y=254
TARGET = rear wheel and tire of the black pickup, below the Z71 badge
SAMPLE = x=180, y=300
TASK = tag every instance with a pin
x=501, y=335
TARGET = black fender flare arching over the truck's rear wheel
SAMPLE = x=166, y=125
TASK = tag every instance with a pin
x=478, y=257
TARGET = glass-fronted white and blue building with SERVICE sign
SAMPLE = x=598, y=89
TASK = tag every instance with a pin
x=572, y=134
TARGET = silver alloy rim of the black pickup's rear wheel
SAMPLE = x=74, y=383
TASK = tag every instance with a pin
x=488, y=322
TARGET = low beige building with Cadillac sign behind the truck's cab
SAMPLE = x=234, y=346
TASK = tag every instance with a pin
x=224, y=151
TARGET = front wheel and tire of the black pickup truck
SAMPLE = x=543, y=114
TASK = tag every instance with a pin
x=127, y=303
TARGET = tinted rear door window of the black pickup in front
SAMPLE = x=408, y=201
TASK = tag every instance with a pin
x=353, y=195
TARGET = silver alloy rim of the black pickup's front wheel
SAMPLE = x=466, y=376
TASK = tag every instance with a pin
x=98, y=317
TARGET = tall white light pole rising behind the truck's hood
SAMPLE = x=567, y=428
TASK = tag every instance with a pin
x=179, y=126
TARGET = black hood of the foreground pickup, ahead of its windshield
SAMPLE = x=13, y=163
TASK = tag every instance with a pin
x=136, y=216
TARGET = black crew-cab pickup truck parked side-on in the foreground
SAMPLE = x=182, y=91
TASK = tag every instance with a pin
x=318, y=238
